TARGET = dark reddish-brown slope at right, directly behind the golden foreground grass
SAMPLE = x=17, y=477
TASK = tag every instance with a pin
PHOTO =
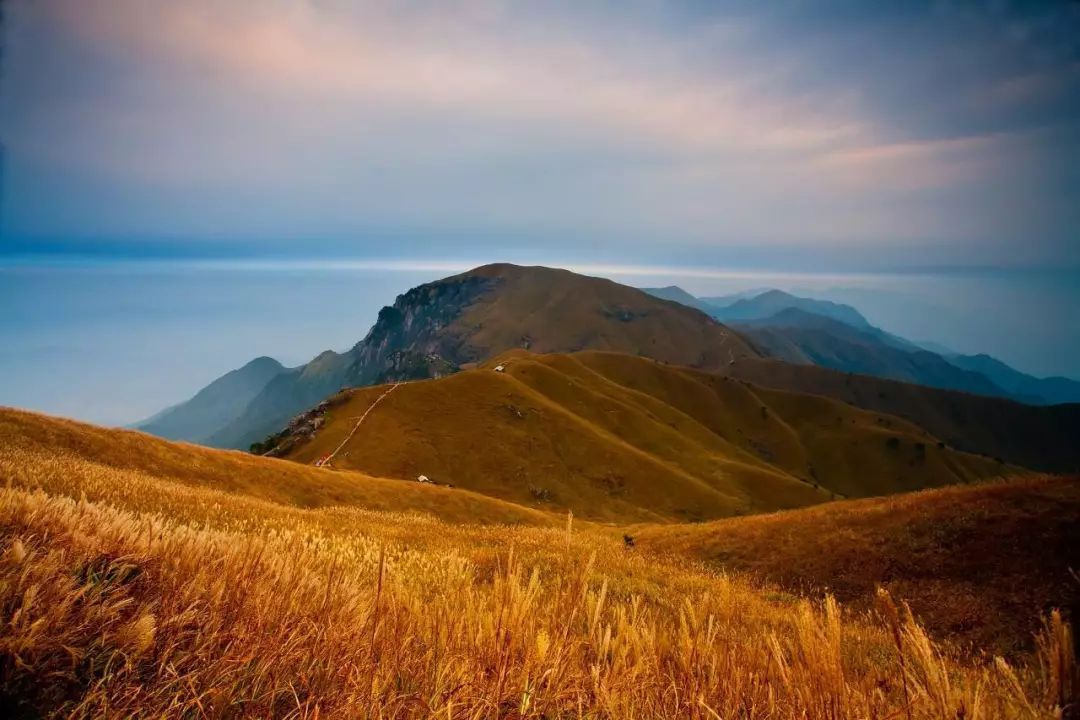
x=976, y=563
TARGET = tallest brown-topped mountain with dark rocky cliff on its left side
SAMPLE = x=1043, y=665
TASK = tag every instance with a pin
x=436, y=329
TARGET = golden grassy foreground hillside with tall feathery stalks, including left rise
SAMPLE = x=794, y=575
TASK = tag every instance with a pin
x=128, y=593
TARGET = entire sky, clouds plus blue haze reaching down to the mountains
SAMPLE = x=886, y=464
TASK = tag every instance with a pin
x=187, y=182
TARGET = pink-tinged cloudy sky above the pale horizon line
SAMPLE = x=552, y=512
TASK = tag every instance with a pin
x=796, y=134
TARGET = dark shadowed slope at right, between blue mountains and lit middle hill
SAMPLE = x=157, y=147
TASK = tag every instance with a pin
x=1038, y=438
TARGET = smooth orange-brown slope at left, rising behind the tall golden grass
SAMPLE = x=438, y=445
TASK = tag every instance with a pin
x=37, y=450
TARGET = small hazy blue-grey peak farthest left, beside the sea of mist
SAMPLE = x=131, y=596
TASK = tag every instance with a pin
x=217, y=405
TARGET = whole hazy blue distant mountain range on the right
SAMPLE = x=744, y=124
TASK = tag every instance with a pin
x=838, y=336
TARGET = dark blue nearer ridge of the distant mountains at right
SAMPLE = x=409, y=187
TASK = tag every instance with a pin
x=798, y=336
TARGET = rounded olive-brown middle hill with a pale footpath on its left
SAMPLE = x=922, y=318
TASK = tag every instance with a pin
x=616, y=438
